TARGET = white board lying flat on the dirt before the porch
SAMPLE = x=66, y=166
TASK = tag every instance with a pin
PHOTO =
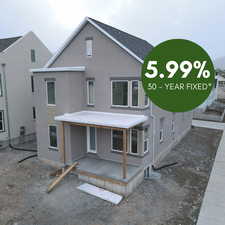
x=100, y=193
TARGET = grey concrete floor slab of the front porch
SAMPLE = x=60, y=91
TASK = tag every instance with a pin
x=106, y=168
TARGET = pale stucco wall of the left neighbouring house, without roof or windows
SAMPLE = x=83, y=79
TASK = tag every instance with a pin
x=17, y=61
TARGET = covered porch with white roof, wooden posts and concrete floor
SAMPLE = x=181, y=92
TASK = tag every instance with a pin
x=96, y=167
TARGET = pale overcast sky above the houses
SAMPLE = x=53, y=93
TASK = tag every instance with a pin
x=202, y=21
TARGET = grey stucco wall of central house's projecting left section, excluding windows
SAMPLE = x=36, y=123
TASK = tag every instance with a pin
x=68, y=85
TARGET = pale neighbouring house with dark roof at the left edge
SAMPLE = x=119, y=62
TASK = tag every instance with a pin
x=17, y=56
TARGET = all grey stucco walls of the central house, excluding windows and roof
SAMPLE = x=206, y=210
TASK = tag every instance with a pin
x=108, y=61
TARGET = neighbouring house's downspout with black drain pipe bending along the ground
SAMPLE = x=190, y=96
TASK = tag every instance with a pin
x=7, y=113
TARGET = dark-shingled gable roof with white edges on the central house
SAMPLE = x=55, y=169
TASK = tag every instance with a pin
x=136, y=47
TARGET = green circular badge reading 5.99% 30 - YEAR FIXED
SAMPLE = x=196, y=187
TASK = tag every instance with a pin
x=178, y=75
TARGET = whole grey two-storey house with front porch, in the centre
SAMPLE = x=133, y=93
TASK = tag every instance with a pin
x=91, y=108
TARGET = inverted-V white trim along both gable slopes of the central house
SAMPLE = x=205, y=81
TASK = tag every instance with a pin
x=76, y=32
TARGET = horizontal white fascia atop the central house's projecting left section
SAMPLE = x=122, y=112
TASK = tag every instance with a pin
x=59, y=69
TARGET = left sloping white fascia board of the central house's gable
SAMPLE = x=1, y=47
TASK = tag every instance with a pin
x=66, y=43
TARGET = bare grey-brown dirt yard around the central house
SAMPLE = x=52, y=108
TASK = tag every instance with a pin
x=174, y=199
